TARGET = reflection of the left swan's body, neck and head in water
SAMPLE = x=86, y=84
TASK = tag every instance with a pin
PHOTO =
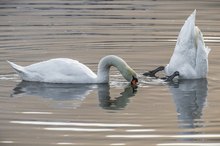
x=74, y=94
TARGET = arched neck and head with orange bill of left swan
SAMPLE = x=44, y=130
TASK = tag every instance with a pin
x=111, y=60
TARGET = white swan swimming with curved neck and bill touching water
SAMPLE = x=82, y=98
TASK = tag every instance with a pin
x=65, y=70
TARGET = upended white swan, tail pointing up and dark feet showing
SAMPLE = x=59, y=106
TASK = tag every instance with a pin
x=190, y=56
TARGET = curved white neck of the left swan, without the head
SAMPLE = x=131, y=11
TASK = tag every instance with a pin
x=104, y=67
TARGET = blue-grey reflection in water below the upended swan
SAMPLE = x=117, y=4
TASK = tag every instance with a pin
x=189, y=97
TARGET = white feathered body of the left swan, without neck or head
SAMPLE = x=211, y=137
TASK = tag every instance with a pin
x=61, y=70
